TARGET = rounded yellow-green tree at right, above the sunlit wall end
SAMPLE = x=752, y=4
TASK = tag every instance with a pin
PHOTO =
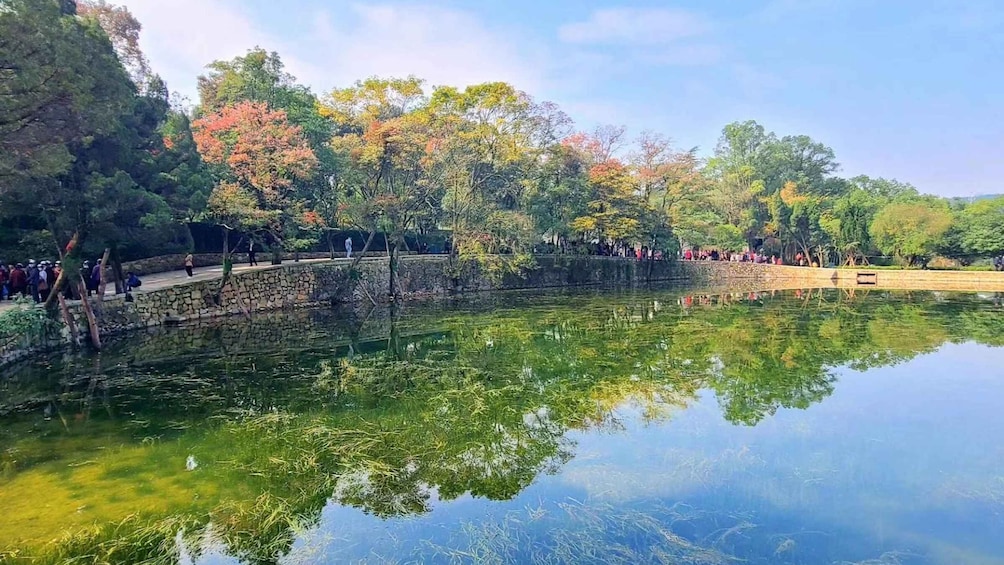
x=911, y=230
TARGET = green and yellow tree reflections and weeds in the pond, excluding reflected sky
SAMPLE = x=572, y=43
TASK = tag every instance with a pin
x=477, y=403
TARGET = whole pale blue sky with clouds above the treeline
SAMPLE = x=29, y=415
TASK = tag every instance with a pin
x=905, y=90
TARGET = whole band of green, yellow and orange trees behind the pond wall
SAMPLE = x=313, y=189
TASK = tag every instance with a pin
x=93, y=148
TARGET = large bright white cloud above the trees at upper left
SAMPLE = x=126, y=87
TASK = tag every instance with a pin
x=441, y=46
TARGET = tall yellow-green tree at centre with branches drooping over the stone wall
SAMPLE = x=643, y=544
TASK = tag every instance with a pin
x=484, y=151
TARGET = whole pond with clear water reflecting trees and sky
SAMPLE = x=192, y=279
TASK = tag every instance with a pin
x=588, y=427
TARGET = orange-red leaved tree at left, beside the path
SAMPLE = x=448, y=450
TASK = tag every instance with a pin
x=260, y=156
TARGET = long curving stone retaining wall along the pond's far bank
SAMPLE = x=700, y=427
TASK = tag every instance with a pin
x=298, y=285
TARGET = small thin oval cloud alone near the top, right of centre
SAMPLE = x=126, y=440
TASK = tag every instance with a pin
x=636, y=27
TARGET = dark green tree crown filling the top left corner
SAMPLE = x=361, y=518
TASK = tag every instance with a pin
x=59, y=86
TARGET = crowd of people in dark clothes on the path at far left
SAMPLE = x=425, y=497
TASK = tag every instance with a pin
x=37, y=280
